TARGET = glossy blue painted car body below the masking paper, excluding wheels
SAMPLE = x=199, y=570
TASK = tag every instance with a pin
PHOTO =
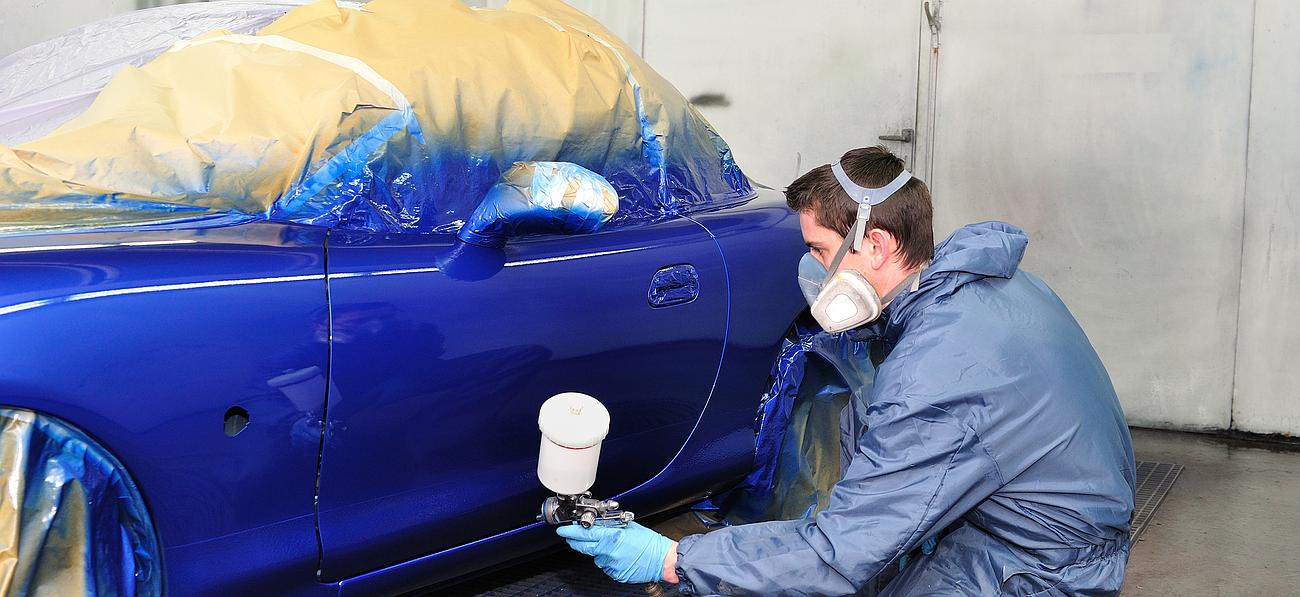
x=392, y=382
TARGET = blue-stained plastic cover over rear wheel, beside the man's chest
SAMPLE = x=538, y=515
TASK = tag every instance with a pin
x=801, y=427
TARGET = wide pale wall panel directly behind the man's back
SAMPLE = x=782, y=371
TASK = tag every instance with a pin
x=1116, y=135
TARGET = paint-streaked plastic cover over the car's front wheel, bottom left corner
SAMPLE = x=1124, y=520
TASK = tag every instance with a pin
x=71, y=520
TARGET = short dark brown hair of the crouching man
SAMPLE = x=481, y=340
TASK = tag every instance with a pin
x=908, y=214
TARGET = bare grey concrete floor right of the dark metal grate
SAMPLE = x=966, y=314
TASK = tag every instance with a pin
x=1230, y=526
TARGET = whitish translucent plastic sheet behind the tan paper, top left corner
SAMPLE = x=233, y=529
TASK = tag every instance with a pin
x=38, y=94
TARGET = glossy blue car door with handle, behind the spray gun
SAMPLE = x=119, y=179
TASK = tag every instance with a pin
x=443, y=354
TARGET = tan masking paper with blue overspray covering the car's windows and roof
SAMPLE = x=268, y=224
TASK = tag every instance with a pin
x=397, y=116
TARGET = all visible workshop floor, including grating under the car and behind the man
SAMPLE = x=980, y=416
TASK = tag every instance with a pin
x=1229, y=526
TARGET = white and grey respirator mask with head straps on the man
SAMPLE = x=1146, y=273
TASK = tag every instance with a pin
x=844, y=300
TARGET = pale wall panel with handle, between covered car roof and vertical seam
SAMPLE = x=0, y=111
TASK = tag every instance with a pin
x=791, y=89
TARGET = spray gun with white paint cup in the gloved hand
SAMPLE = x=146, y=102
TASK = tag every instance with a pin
x=574, y=426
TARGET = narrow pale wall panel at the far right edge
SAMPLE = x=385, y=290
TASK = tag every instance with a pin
x=1268, y=383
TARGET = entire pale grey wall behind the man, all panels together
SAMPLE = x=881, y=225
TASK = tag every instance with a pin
x=1149, y=149
